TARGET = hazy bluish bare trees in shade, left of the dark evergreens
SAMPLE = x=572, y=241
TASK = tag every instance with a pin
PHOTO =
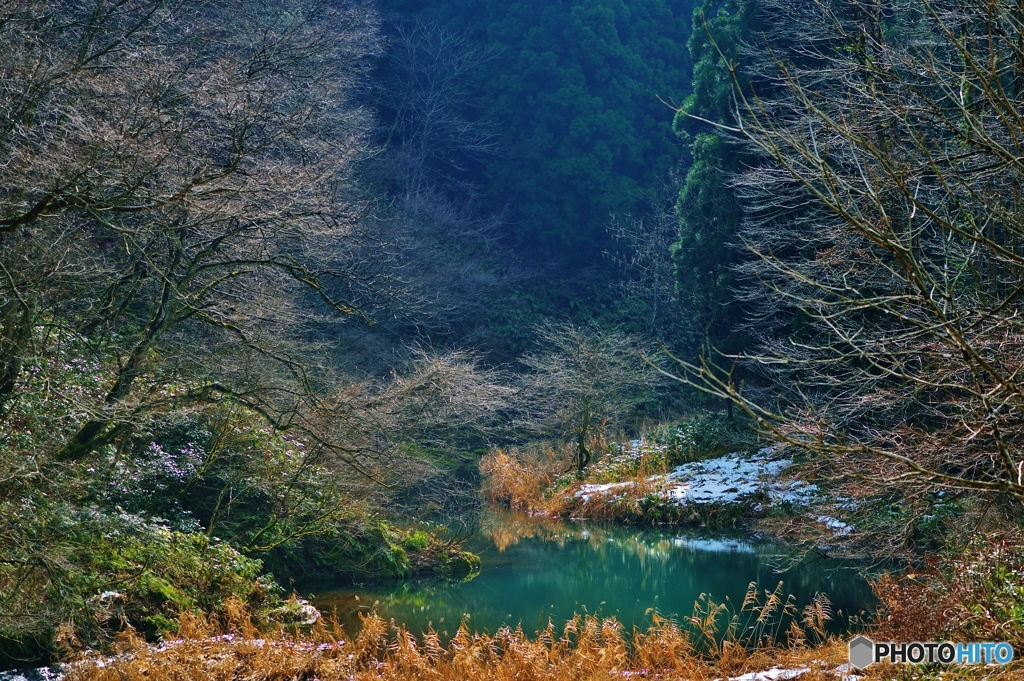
x=435, y=141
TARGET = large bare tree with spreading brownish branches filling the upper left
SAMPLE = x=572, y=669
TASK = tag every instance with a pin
x=177, y=179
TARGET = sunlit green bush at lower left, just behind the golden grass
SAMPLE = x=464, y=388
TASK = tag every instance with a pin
x=97, y=573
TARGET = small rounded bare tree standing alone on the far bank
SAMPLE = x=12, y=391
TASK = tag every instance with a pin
x=585, y=380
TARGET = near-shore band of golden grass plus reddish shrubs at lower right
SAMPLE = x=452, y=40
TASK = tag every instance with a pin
x=965, y=601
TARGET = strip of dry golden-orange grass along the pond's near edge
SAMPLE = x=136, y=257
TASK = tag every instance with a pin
x=586, y=649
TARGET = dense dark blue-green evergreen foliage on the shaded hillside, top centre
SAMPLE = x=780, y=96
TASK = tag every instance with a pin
x=576, y=94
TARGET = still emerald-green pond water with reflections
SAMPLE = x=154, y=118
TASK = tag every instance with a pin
x=535, y=570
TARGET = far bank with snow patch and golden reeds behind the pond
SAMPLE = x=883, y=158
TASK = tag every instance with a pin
x=646, y=482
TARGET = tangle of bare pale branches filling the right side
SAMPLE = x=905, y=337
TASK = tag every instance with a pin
x=886, y=217
